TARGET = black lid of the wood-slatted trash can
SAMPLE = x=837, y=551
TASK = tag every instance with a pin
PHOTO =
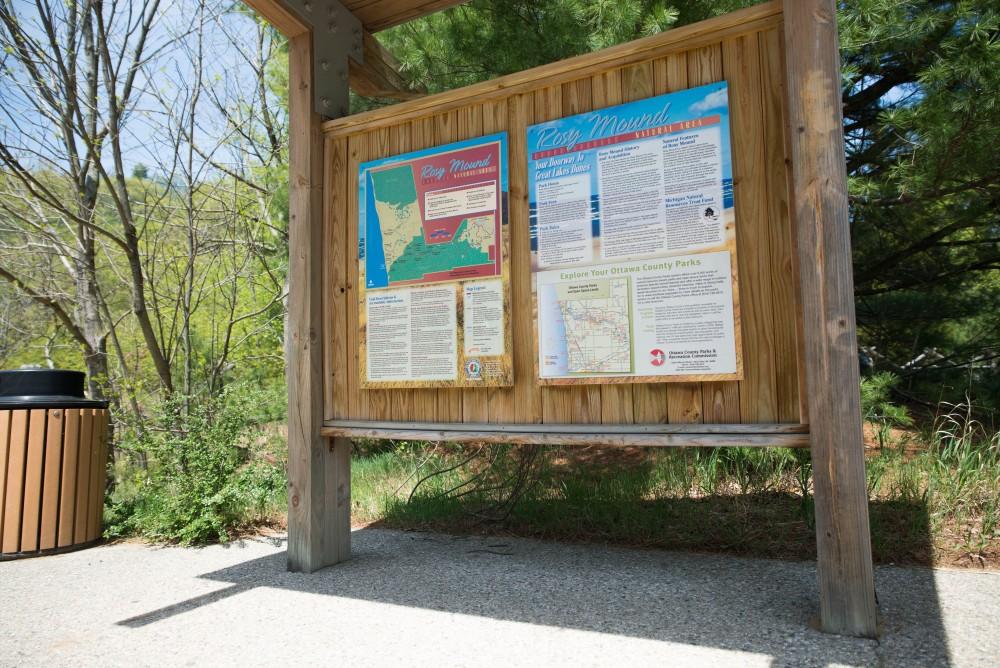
x=44, y=388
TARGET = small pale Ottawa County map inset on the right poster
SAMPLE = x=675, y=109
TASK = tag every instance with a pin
x=597, y=319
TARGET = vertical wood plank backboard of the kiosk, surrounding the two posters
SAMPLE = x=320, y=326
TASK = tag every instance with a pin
x=745, y=49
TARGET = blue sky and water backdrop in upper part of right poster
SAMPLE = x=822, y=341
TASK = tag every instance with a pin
x=568, y=134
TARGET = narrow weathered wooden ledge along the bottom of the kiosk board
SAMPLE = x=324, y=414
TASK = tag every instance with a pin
x=638, y=435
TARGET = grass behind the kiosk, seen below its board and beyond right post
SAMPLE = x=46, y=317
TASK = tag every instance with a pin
x=934, y=498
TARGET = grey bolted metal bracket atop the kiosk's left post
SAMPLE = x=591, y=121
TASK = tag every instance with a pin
x=337, y=36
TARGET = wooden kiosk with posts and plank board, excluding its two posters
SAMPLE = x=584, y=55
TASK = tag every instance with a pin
x=799, y=387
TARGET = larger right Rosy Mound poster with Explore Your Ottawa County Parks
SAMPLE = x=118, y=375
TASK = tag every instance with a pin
x=633, y=242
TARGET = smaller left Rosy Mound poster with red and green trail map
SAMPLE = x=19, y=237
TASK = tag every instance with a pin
x=434, y=263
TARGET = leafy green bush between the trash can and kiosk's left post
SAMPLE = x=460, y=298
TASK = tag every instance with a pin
x=207, y=471
